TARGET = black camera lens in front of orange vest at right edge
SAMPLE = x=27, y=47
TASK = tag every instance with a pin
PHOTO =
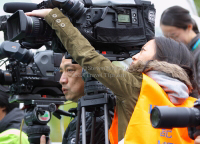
x=173, y=117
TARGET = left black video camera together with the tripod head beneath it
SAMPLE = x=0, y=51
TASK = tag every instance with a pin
x=34, y=81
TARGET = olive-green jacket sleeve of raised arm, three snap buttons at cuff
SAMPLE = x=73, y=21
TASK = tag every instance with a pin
x=119, y=81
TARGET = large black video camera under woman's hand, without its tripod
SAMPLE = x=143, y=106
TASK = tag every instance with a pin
x=111, y=26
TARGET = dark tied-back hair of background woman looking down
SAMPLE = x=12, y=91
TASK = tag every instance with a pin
x=178, y=17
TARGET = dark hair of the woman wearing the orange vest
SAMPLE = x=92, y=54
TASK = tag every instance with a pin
x=175, y=52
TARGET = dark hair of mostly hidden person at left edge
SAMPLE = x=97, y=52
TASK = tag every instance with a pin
x=4, y=100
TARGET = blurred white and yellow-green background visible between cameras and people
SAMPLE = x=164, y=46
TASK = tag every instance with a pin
x=58, y=126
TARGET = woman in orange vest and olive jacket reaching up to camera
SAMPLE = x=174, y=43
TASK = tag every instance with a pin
x=162, y=68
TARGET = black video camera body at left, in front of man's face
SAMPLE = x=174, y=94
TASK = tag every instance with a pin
x=27, y=73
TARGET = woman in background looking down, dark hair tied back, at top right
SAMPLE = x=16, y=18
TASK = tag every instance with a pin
x=177, y=23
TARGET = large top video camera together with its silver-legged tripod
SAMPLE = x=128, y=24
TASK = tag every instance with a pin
x=119, y=28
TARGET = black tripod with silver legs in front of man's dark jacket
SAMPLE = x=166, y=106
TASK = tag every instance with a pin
x=96, y=96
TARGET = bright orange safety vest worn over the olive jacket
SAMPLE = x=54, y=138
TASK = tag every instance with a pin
x=140, y=130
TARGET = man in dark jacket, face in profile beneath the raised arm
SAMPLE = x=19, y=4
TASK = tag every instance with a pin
x=73, y=89
